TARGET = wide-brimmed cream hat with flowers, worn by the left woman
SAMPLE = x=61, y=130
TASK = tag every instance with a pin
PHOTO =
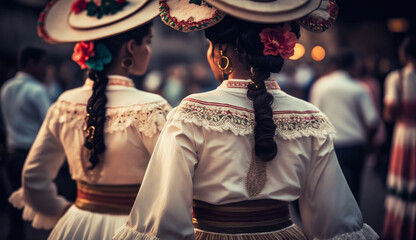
x=87, y=20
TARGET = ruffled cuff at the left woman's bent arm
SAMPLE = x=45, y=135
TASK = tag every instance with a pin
x=39, y=220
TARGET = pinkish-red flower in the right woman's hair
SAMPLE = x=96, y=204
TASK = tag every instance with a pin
x=279, y=40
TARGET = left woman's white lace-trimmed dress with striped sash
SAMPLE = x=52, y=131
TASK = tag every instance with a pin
x=105, y=194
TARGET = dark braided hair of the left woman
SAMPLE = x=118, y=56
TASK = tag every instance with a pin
x=96, y=103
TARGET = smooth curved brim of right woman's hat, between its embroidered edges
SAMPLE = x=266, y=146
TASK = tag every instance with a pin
x=266, y=12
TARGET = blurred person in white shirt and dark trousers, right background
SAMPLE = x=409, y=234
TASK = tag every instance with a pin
x=352, y=112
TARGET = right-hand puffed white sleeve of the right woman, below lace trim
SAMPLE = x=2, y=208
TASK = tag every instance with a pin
x=327, y=207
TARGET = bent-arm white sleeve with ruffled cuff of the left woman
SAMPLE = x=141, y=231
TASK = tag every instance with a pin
x=38, y=195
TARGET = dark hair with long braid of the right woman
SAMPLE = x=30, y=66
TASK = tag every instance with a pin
x=245, y=37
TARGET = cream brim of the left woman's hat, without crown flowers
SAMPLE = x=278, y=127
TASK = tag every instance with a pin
x=54, y=26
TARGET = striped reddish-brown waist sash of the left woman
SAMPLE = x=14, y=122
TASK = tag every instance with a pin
x=109, y=199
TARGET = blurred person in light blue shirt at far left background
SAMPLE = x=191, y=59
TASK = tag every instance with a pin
x=24, y=104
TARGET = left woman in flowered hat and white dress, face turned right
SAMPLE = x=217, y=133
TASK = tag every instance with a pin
x=106, y=129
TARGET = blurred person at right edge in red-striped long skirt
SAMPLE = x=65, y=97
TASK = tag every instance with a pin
x=400, y=106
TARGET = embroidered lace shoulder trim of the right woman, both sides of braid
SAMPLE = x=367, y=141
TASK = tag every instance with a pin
x=240, y=121
